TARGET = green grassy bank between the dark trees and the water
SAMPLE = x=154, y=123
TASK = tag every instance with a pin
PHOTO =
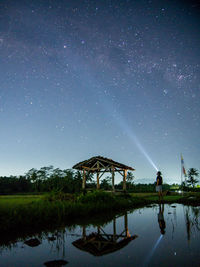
x=29, y=214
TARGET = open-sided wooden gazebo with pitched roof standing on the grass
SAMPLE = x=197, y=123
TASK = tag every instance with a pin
x=100, y=166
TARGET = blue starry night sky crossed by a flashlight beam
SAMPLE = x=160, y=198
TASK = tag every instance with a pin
x=120, y=79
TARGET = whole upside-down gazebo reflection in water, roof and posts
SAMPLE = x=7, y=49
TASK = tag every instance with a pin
x=100, y=243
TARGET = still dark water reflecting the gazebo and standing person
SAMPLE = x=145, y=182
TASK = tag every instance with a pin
x=165, y=235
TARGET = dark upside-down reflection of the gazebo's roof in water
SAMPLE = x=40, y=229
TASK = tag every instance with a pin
x=97, y=245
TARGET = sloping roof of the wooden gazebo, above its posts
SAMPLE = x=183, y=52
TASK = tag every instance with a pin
x=103, y=163
